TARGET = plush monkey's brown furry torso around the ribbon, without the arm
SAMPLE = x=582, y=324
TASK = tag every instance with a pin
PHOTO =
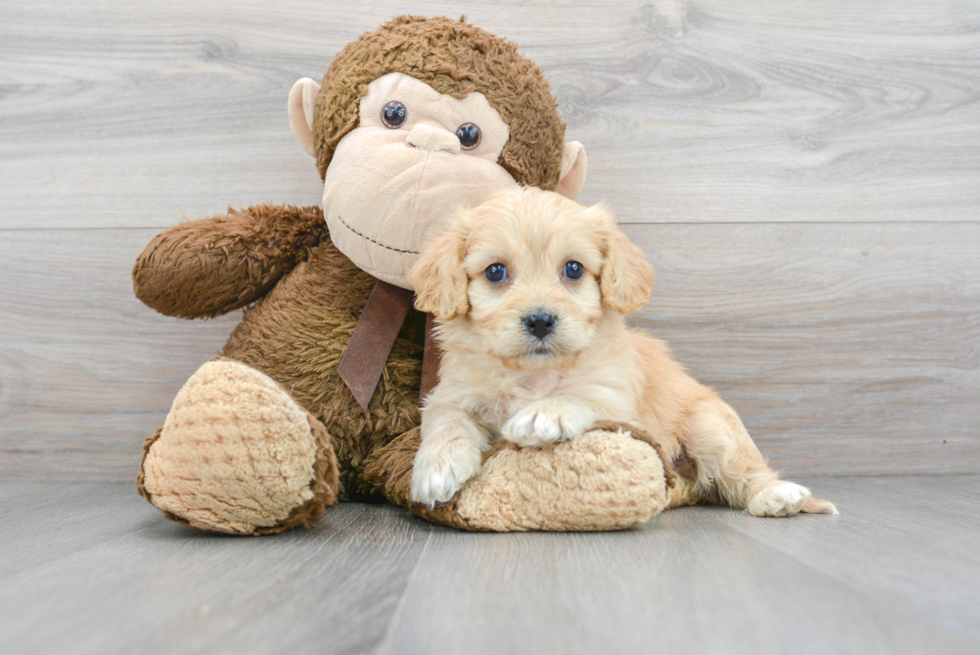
x=297, y=334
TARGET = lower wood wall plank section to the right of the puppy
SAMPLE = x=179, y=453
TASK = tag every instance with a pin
x=845, y=348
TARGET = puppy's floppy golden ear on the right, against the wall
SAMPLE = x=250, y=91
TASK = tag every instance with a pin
x=626, y=277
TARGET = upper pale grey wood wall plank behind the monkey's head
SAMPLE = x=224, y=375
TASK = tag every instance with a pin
x=130, y=115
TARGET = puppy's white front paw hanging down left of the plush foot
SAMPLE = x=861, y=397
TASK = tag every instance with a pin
x=441, y=467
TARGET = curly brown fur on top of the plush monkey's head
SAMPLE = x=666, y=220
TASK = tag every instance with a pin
x=454, y=58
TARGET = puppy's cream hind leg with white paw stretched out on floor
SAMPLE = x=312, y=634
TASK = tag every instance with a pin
x=730, y=466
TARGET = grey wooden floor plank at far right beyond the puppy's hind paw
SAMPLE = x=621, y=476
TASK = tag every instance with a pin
x=900, y=537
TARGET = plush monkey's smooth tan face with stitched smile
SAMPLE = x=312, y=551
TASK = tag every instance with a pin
x=415, y=158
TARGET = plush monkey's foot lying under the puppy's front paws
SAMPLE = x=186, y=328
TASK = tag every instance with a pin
x=602, y=480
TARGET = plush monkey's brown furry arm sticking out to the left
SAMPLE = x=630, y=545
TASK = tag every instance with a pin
x=204, y=268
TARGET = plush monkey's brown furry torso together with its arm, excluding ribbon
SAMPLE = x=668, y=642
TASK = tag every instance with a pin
x=298, y=331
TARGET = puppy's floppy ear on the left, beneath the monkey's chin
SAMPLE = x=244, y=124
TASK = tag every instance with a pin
x=438, y=277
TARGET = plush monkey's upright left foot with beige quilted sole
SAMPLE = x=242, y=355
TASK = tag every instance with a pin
x=236, y=454
